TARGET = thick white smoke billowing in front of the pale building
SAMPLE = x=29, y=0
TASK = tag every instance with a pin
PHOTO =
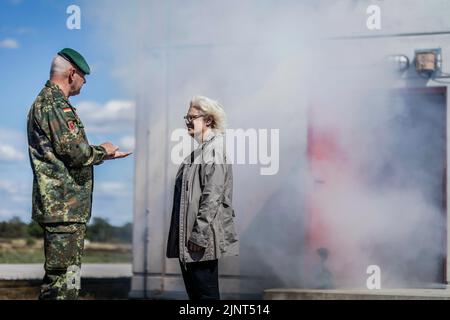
x=269, y=63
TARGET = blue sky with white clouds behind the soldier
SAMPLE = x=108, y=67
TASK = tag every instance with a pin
x=31, y=33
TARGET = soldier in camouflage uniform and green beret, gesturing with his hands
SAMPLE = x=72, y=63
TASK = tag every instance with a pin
x=62, y=161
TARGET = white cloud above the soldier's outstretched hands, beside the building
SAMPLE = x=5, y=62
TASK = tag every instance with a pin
x=113, y=117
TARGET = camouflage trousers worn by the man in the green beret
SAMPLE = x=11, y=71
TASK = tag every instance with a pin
x=63, y=246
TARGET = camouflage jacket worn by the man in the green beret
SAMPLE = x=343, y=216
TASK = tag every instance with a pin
x=61, y=158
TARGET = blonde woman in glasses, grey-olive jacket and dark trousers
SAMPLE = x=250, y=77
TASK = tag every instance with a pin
x=202, y=227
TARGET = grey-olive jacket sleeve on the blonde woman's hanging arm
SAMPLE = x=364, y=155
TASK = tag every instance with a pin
x=212, y=175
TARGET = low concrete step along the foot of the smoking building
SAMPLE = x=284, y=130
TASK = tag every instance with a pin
x=382, y=294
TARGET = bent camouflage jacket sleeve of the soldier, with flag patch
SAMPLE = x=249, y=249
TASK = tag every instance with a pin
x=68, y=139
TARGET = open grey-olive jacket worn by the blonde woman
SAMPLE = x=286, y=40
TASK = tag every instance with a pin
x=203, y=212
